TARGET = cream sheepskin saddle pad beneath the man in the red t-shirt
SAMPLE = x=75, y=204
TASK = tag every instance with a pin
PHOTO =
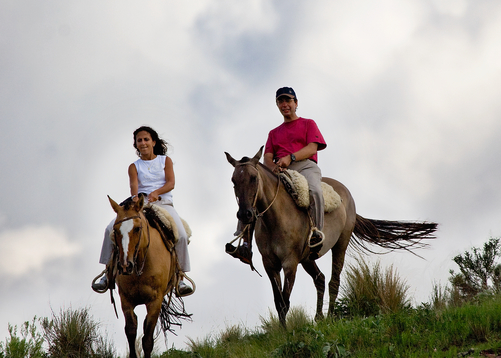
x=297, y=186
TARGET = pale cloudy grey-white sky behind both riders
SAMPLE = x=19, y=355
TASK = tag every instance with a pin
x=405, y=94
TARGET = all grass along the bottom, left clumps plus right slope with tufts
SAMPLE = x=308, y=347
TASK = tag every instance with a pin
x=374, y=319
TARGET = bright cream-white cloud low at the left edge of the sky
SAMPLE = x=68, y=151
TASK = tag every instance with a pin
x=30, y=248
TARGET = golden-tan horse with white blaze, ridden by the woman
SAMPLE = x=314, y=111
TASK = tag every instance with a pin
x=146, y=273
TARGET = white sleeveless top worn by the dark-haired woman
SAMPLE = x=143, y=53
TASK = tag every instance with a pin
x=151, y=176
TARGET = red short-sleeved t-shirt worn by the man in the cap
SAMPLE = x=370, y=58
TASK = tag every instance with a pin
x=289, y=137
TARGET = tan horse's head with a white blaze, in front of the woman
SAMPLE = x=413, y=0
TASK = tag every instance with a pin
x=127, y=233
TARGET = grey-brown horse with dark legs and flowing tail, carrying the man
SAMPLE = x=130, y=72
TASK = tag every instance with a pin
x=282, y=230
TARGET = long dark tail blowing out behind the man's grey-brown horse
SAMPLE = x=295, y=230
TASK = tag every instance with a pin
x=392, y=235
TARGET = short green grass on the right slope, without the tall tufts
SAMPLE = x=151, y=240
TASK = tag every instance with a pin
x=412, y=332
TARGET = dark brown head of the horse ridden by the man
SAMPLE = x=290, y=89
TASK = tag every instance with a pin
x=246, y=184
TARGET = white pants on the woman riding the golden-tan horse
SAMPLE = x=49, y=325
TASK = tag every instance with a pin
x=181, y=245
